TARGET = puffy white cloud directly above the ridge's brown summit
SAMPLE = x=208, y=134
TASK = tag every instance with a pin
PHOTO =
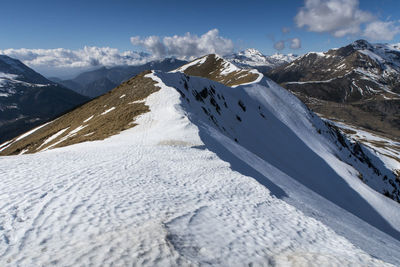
x=188, y=46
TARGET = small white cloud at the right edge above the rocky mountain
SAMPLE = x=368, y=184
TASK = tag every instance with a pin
x=380, y=30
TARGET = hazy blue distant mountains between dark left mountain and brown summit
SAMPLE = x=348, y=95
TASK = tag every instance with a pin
x=97, y=82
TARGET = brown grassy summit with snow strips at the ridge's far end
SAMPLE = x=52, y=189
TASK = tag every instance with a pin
x=212, y=68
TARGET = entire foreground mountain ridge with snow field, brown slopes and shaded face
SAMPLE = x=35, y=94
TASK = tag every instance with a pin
x=194, y=172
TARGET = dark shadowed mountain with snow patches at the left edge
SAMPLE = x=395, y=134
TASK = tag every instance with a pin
x=28, y=99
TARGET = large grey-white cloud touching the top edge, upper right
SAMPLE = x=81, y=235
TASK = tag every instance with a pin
x=338, y=17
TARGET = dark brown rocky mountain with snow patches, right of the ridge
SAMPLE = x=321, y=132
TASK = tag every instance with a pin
x=357, y=84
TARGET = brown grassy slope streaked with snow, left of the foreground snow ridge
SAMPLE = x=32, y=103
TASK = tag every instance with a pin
x=100, y=126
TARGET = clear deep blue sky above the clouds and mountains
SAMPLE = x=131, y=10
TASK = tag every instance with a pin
x=258, y=24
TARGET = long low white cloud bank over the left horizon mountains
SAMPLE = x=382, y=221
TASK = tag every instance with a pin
x=61, y=61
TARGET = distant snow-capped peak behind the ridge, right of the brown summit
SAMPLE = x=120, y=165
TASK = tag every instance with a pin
x=252, y=58
